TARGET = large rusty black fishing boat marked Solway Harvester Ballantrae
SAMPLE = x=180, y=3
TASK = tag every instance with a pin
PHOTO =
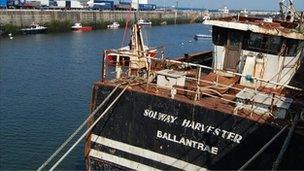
x=244, y=111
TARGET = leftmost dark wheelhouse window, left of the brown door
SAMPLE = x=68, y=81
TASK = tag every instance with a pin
x=219, y=36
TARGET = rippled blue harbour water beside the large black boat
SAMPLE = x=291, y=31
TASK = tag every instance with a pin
x=45, y=86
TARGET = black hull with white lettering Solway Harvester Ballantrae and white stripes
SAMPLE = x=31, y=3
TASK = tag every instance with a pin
x=128, y=134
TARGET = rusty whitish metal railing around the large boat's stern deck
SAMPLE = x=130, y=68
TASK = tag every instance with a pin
x=199, y=86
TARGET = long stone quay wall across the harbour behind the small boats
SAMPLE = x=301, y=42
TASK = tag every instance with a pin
x=26, y=17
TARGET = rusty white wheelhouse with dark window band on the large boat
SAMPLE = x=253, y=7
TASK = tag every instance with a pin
x=256, y=48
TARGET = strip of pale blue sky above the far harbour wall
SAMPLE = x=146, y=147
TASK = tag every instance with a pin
x=231, y=4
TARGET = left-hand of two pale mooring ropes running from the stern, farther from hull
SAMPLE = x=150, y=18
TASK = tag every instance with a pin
x=77, y=130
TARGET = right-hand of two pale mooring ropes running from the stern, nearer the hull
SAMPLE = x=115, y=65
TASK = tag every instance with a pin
x=88, y=130
